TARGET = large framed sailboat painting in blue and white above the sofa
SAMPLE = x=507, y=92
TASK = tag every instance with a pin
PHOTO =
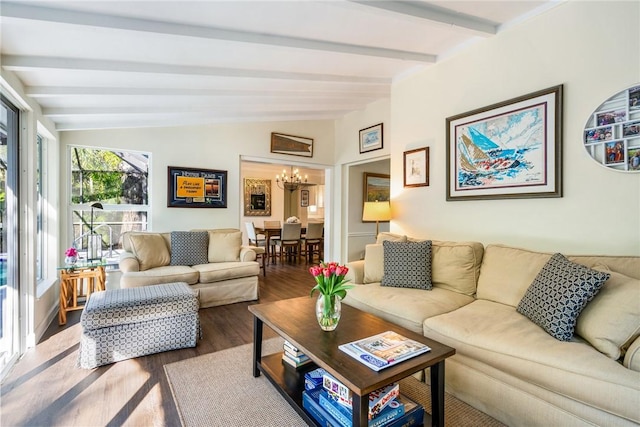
x=509, y=150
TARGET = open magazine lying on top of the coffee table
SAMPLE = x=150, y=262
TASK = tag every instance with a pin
x=383, y=350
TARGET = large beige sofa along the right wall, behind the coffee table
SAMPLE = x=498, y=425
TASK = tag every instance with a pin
x=506, y=365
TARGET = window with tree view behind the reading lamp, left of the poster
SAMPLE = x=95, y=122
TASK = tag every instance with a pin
x=109, y=196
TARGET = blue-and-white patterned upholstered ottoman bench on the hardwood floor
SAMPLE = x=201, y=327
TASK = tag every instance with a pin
x=120, y=324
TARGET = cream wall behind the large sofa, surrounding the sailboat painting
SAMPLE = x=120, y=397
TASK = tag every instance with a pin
x=592, y=48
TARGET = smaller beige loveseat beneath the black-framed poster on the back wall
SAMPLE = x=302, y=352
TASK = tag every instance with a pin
x=213, y=262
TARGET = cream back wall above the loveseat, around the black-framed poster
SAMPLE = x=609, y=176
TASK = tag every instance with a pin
x=209, y=147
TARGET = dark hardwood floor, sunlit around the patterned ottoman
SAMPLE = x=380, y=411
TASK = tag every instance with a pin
x=45, y=388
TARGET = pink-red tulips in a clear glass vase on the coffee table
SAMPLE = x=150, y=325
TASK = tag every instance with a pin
x=332, y=288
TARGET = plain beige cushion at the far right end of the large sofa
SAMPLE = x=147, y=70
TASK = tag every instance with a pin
x=611, y=322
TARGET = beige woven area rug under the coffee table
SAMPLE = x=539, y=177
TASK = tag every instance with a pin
x=218, y=389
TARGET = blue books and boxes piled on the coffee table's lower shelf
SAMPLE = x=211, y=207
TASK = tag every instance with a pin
x=329, y=402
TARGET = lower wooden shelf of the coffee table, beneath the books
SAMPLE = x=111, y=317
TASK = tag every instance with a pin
x=290, y=384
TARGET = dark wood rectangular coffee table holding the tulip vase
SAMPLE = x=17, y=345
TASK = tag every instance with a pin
x=294, y=320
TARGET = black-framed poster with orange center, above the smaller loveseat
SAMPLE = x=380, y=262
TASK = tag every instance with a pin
x=196, y=188
